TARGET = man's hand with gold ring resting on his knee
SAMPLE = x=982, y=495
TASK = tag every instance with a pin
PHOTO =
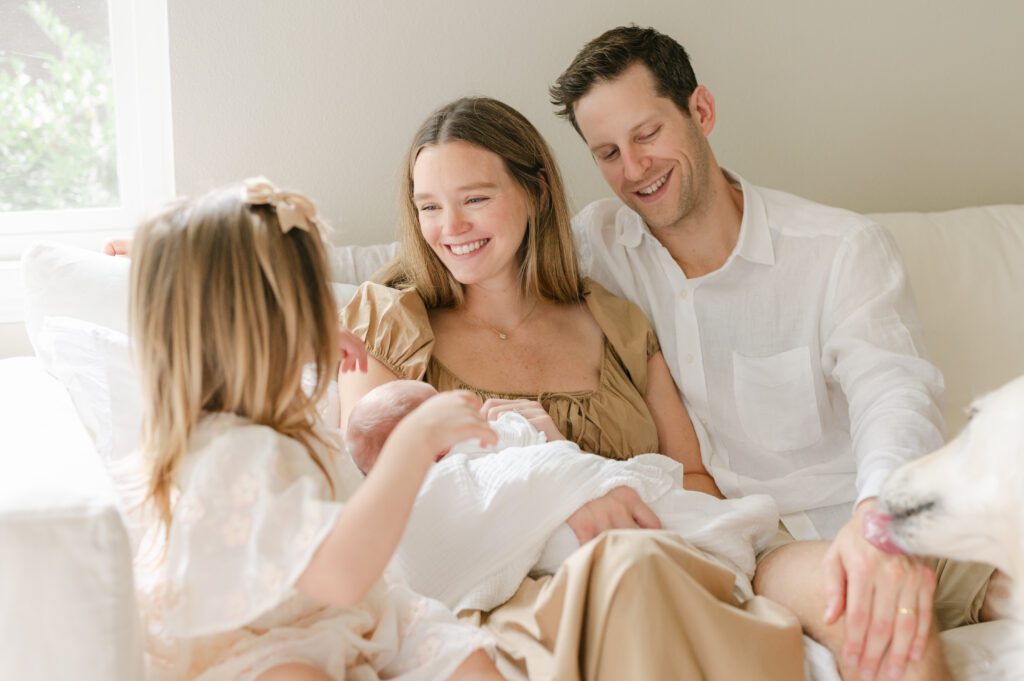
x=887, y=600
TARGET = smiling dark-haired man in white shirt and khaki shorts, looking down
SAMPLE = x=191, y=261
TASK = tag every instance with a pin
x=792, y=335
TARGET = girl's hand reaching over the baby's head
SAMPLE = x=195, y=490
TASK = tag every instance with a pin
x=443, y=421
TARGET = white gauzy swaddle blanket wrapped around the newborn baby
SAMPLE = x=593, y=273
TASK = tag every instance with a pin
x=487, y=519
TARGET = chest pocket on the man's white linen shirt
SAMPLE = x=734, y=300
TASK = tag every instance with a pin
x=776, y=400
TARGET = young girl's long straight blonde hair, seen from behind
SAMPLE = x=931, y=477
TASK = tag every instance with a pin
x=226, y=311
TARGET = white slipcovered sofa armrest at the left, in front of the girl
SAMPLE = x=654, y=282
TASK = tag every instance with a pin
x=67, y=597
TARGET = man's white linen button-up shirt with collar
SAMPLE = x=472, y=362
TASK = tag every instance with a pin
x=800, y=360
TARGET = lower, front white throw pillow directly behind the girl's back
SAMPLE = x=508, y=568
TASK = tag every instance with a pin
x=95, y=364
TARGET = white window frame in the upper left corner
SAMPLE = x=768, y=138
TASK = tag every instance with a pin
x=141, y=63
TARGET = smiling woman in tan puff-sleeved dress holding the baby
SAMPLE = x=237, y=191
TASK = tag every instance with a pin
x=487, y=295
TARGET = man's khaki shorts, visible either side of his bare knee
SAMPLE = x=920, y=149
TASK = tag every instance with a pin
x=960, y=589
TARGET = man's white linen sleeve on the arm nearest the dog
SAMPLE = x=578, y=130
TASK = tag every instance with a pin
x=873, y=348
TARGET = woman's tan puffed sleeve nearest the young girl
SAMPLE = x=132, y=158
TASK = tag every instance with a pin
x=395, y=327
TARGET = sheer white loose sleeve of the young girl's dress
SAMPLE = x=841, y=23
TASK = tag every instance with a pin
x=253, y=509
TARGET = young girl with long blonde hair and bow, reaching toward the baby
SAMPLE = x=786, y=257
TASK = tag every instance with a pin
x=264, y=556
